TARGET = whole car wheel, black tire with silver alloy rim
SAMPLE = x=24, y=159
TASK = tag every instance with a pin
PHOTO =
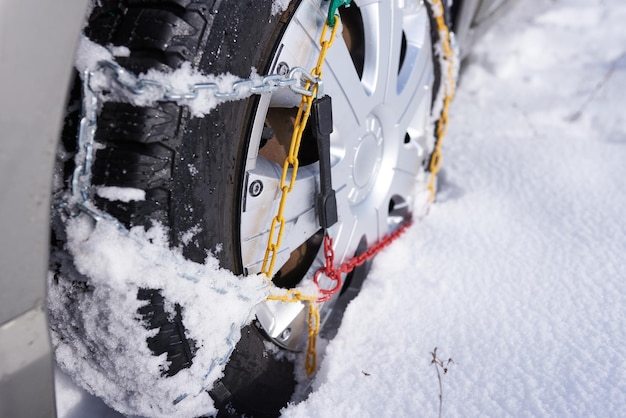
x=216, y=178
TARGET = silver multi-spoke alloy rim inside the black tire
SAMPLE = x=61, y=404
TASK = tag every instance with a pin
x=379, y=75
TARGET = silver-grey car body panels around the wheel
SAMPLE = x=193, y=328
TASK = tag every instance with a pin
x=37, y=44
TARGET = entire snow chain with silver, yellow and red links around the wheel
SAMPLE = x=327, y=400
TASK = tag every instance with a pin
x=306, y=84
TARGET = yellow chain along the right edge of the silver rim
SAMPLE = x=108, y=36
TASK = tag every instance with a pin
x=449, y=86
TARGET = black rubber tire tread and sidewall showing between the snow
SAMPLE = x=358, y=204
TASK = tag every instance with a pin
x=153, y=148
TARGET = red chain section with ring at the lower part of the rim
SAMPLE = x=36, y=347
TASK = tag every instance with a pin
x=334, y=274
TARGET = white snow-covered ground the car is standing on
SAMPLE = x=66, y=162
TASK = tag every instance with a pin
x=517, y=274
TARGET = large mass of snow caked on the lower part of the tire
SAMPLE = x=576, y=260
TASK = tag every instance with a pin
x=98, y=334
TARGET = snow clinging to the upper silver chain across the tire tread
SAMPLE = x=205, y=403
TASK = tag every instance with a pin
x=156, y=85
